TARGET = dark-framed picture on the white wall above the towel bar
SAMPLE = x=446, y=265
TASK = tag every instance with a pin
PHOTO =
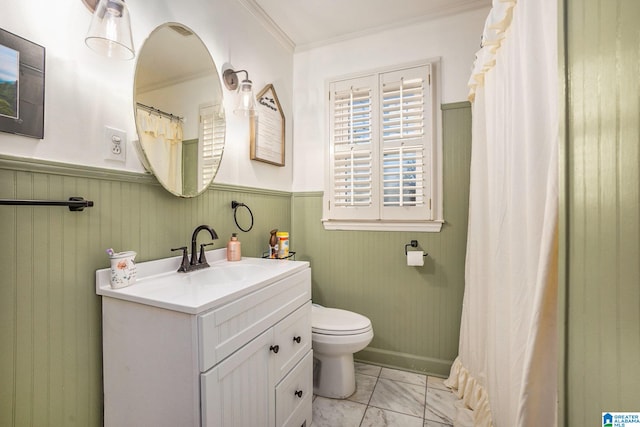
x=21, y=86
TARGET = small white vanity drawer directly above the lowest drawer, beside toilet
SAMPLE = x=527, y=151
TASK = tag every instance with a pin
x=293, y=337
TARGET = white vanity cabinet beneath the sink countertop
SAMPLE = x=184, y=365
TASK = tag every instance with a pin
x=246, y=362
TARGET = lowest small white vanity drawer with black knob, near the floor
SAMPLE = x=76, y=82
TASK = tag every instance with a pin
x=294, y=395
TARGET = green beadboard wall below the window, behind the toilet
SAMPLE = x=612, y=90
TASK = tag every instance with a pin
x=415, y=311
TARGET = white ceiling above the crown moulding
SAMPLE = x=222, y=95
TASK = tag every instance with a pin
x=308, y=23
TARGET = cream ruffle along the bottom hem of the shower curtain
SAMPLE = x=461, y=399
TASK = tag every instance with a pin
x=472, y=393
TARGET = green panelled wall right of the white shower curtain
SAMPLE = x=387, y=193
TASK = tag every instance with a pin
x=600, y=207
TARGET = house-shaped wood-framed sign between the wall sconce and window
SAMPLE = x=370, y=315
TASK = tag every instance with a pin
x=267, y=129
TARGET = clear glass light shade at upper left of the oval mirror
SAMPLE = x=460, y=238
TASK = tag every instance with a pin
x=110, y=30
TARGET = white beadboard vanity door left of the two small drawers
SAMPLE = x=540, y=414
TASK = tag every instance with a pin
x=238, y=392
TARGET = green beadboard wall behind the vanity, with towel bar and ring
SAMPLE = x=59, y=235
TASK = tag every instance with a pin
x=50, y=316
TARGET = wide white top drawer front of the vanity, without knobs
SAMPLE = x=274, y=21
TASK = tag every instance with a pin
x=224, y=330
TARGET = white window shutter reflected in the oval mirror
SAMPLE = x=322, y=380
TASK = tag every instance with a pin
x=212, y=131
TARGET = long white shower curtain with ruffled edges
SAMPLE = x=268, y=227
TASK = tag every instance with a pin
x=506, y=367
